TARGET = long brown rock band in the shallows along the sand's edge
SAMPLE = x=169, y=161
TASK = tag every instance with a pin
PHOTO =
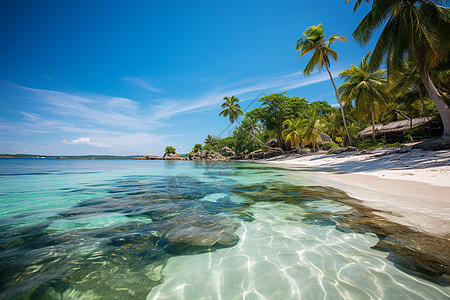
x=424, y=255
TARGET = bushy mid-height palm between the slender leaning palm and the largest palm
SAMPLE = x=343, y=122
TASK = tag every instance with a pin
x=367, y=88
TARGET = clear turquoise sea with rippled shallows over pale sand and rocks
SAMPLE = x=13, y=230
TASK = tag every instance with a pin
x=132, y=229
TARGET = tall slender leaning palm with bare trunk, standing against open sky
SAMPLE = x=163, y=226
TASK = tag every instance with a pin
x=314, y=40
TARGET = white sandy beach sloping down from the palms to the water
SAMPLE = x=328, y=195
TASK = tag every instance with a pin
x=410, y=188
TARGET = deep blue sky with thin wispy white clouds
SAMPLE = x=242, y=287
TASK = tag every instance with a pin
x=131, y=77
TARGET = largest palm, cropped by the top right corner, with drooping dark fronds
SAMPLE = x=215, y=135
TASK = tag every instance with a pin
x=417, y=29
